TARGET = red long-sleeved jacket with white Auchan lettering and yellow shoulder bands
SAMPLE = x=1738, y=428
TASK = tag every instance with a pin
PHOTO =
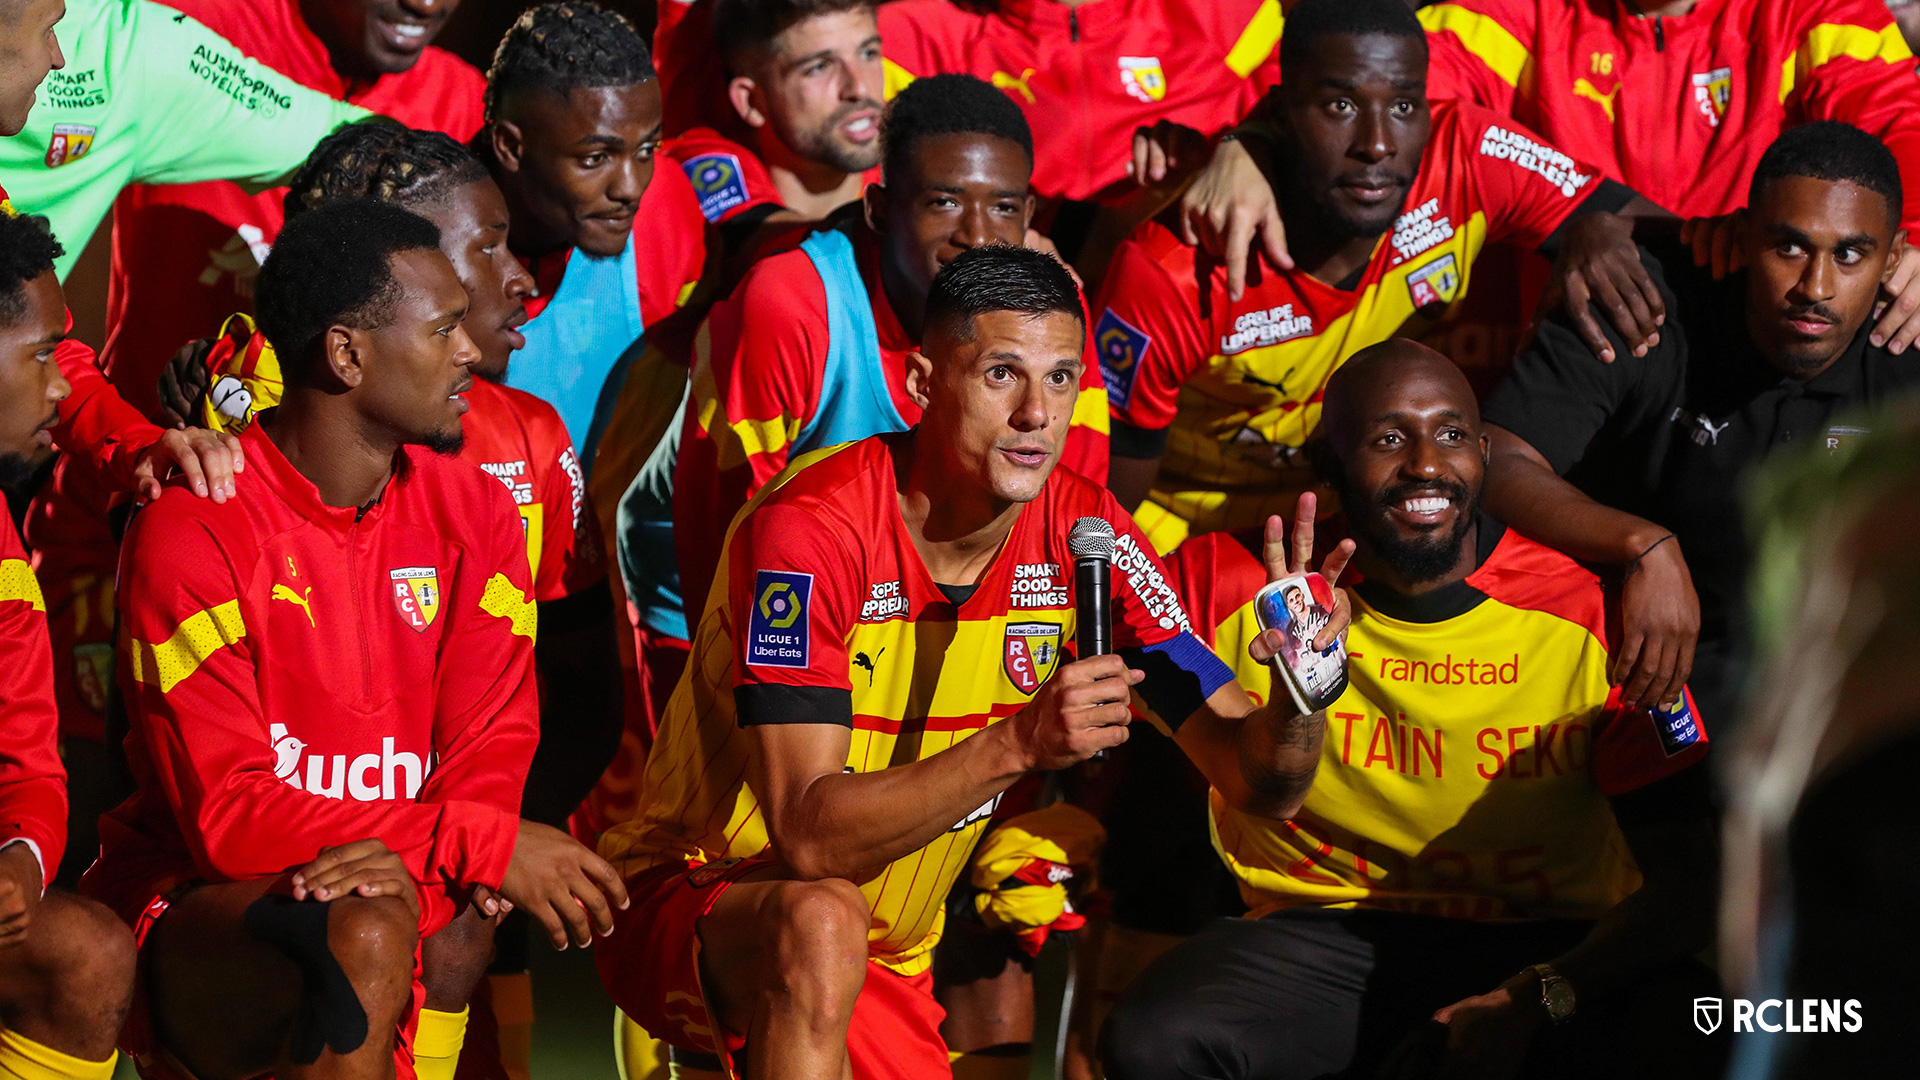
x=302, y=675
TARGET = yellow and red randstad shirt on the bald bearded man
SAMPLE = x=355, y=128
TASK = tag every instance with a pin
x=1470, y=764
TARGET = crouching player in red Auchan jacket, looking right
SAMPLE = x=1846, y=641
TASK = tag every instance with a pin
x=333, y=695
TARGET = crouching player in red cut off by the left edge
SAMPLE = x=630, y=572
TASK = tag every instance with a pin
x=66, y=964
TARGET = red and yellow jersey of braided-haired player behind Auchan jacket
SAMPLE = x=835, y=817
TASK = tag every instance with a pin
x=521, y=441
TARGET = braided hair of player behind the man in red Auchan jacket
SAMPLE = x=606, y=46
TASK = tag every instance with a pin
x=381, y=160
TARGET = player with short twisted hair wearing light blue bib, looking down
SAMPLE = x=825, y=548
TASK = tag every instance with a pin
x=615, y=249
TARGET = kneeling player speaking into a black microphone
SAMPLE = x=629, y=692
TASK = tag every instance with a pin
x=873, y=675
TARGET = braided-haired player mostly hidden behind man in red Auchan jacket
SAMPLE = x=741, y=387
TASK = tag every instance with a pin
x=523, y=443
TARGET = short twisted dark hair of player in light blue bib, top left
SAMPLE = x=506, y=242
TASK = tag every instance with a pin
x=575, y=45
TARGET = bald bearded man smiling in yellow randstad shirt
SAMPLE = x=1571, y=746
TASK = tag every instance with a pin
x=1500, y=871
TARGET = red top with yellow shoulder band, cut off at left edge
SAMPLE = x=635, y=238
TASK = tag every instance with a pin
x=34, y=783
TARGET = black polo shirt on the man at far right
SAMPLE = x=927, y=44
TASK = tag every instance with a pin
x=1675, y=435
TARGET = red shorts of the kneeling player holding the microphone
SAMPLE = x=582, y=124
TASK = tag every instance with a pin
x=654, y=973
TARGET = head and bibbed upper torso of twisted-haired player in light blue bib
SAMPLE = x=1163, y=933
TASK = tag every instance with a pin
x=573, y=126
